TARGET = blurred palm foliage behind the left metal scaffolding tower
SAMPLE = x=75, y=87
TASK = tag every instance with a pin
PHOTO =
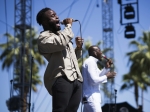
x=11, y=57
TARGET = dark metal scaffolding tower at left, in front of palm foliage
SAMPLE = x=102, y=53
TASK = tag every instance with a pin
x=22, y=23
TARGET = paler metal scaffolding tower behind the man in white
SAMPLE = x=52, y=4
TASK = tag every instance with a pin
x=107, y=37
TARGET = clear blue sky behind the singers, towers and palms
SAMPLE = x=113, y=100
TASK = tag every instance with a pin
x=90, y=17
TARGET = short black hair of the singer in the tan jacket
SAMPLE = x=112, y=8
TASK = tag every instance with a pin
x=40, y=15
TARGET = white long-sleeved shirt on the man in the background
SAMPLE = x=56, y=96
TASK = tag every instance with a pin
x=92, y=76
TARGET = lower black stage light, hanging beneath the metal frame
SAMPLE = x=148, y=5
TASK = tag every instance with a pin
x=130, y=31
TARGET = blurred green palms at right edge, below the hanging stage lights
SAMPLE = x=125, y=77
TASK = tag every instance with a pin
x=139, y=74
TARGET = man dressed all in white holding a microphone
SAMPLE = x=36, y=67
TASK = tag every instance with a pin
x=92, y=77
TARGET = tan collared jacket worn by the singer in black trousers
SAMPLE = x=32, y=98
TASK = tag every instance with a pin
x=60, y=54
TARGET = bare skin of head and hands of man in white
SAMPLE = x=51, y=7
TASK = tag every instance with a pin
x=96, y=52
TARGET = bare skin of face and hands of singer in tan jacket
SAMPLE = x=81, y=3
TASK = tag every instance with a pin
x=51, y=22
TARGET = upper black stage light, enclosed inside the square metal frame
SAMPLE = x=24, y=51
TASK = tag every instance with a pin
x=129, y=12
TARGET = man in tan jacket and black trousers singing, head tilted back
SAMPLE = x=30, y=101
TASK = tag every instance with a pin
x=62, y=77
